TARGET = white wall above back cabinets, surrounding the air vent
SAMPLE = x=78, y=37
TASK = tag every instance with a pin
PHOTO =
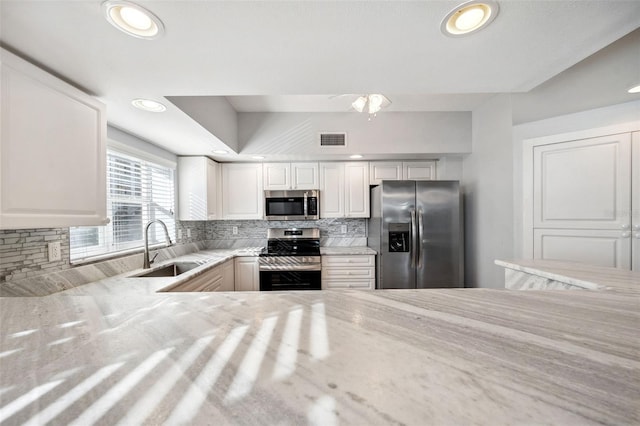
x=394, y=133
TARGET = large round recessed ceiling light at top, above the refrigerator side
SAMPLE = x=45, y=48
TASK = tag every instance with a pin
x=469, y=17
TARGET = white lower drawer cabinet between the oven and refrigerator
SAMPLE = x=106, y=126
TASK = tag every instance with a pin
x=348, y=271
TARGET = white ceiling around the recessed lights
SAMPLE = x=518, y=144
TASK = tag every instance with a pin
x=301, y=55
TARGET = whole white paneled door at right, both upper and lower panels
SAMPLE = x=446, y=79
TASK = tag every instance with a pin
x=582, y=201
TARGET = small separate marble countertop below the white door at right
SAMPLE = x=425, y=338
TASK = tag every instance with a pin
x=580, y=275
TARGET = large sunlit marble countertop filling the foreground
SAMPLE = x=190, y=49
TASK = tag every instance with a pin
x=119, y=353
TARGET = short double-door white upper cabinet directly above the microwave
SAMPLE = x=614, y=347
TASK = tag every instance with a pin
x=285, y=176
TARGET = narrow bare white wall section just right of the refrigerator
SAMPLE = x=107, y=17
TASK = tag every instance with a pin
x=487, y=180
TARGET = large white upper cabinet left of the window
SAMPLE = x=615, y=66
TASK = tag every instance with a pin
x=52, y=151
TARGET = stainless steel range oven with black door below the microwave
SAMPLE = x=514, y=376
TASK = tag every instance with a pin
x=291, y=260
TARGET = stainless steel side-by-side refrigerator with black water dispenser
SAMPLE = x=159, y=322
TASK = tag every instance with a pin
x=417, y=229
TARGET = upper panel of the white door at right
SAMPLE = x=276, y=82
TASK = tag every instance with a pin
x=583, y=184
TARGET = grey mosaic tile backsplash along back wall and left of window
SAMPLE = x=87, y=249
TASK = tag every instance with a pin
x=23, y=252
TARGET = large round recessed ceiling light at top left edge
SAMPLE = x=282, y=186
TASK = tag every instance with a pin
x=132, y=19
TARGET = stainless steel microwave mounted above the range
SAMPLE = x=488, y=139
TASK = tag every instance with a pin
x=292, y=205
